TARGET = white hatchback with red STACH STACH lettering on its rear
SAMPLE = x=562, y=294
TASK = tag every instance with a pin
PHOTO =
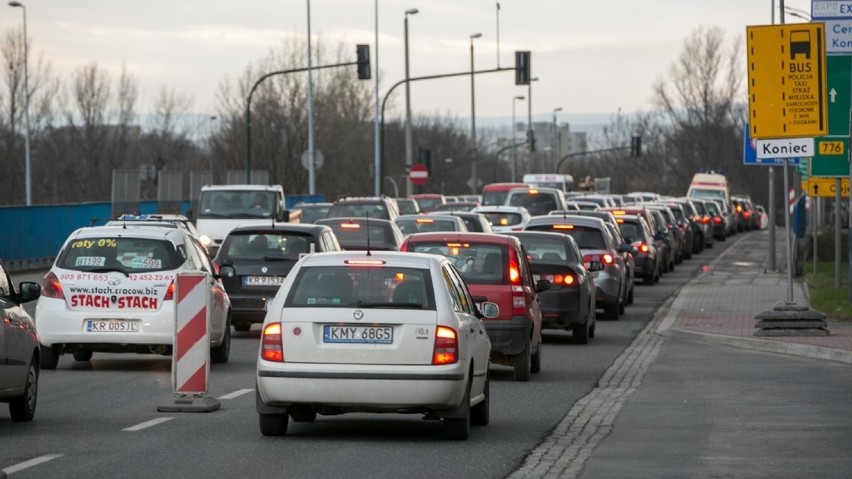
x=111, y=289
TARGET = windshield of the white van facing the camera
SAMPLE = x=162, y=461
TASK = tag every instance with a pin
x=237, y=204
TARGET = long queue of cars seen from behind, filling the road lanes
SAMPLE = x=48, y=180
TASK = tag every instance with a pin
x=363, y=310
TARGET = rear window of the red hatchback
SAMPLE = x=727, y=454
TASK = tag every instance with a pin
x=478, y=263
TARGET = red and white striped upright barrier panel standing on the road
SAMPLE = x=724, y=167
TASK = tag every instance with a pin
x=191, y=350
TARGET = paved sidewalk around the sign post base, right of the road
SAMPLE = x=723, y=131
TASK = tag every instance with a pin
x=720, y=304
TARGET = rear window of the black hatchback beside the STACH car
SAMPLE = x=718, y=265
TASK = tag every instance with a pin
x=268, y=246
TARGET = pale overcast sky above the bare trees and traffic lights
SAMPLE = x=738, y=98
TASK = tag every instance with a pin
x=589, y=55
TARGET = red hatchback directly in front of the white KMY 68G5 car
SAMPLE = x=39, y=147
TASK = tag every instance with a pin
x=496, y=269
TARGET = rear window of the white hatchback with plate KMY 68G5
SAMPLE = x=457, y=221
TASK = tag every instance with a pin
x=362, y=287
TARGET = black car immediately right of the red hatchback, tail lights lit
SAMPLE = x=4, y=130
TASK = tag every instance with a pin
x=570, y=301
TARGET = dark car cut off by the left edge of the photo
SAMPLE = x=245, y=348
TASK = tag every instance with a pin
x=19, y=348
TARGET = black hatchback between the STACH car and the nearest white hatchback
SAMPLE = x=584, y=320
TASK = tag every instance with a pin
x=254, y=260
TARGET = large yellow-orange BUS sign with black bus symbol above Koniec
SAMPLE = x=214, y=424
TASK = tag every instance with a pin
x=786, y=80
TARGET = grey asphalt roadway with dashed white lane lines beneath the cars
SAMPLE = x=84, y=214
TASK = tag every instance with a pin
x=100, y=419
